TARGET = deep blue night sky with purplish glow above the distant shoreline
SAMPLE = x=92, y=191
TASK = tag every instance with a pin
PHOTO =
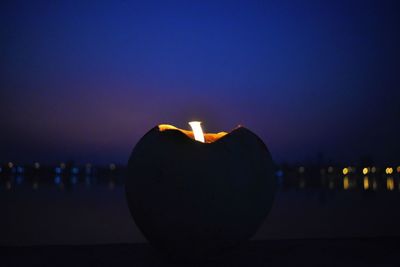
x=85, y=81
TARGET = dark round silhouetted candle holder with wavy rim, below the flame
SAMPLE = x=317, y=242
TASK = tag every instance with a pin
x=196, y=200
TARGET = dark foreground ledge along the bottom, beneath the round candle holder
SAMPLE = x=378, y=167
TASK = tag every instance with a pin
x=297, y=252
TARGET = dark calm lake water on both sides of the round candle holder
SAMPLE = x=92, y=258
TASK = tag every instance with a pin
x=79, y=210
